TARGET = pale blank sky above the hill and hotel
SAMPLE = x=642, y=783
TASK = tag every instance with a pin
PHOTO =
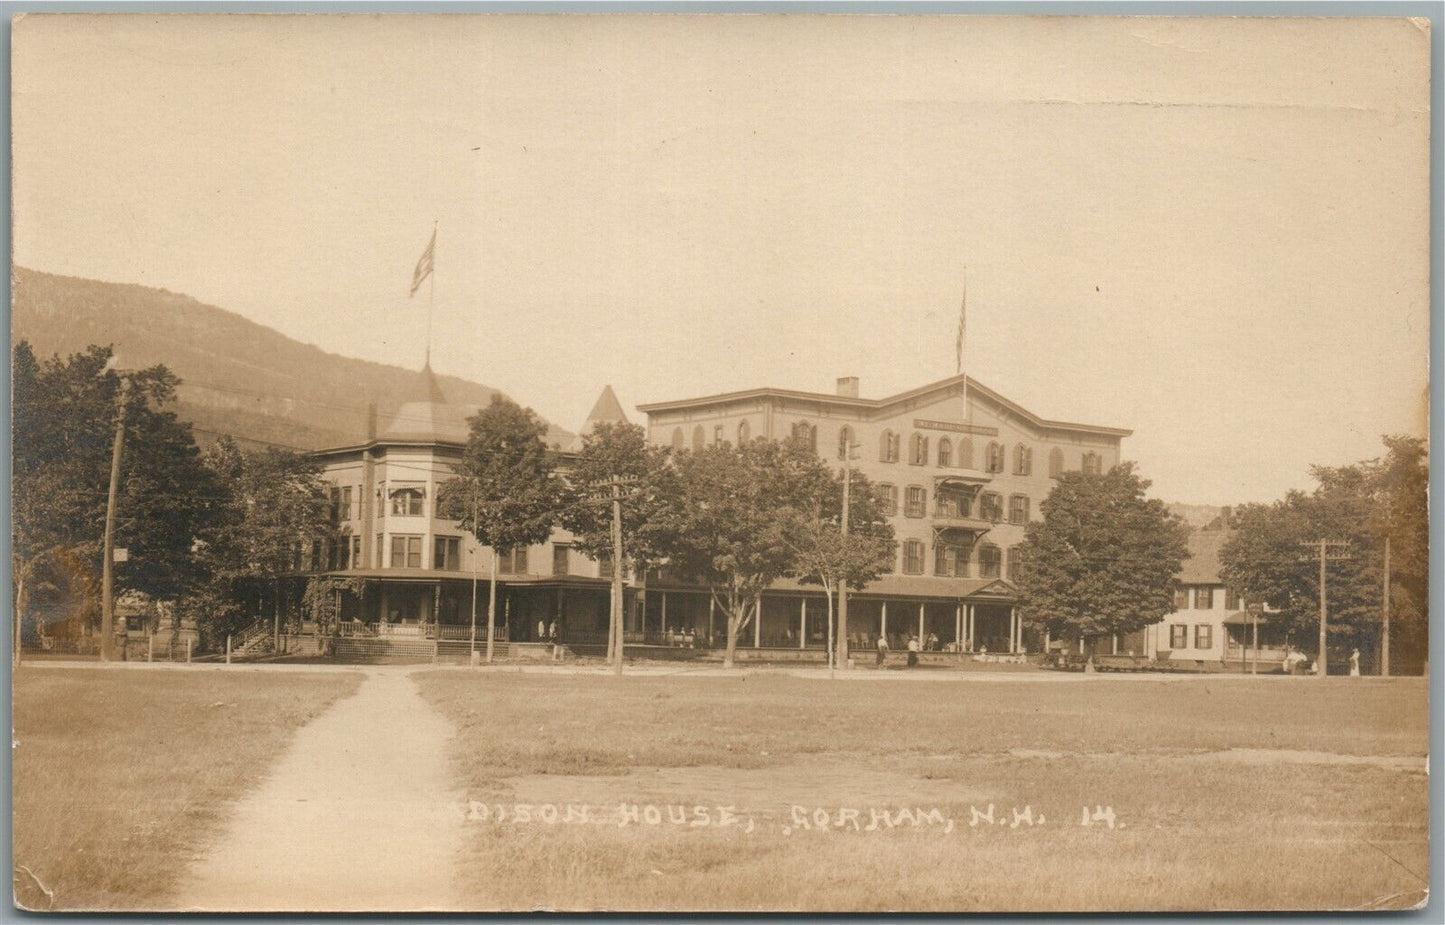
x=1212, y=232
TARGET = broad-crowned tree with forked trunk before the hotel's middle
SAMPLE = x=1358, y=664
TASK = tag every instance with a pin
x=728, y=517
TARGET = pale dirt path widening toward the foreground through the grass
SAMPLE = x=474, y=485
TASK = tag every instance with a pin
x=359, y=816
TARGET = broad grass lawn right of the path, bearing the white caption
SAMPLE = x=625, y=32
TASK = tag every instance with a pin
x=1228, y=794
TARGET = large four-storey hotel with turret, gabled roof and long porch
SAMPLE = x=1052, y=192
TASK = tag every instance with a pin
x=963, y=469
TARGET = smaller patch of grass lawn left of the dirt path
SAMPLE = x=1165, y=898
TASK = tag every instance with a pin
x=121, y=775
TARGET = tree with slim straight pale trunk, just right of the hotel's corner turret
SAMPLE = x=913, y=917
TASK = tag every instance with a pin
x=505, y=492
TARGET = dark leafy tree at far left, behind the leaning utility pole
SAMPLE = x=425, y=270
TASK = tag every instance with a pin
x=64, y=423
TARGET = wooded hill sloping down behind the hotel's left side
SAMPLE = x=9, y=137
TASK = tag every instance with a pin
x=238, y=377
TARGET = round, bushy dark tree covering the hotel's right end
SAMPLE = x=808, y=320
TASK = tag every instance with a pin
x=1103, y=560
